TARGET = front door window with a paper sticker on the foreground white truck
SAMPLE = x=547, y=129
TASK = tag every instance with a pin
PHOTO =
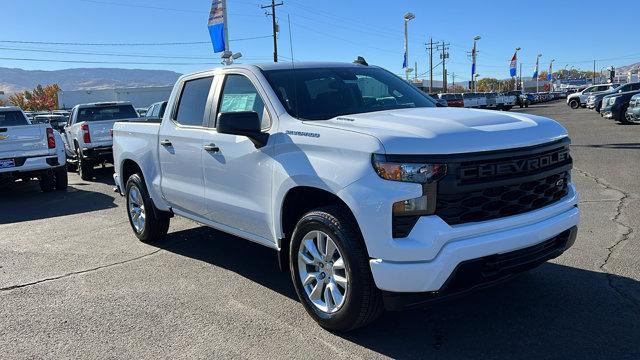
x=239, y=94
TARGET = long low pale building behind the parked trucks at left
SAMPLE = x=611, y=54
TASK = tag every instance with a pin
x=140, y=97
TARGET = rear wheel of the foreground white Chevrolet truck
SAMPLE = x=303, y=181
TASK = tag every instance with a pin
x=148, y=223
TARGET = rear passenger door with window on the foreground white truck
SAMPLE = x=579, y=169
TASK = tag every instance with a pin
x=180, y=146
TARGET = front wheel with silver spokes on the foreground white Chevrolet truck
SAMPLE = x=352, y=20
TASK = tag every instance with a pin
x=330, y=271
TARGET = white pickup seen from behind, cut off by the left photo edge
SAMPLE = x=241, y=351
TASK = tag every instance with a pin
x=30, y=151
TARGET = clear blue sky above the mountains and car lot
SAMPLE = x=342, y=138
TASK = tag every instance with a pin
x=329, y=30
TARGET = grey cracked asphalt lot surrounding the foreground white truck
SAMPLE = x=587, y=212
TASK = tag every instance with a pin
x=75, y=283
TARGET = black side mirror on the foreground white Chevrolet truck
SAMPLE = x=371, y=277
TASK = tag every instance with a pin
x=243, y=123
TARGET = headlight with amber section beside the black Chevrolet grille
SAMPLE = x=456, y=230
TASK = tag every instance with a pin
x=421, y=173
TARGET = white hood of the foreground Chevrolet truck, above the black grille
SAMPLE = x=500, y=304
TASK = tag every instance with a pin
x=449, y=130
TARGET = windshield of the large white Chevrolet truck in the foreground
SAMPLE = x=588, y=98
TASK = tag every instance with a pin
x=324, y=93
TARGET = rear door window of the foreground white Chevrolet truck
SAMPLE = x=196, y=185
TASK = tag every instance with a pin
x=193, y=101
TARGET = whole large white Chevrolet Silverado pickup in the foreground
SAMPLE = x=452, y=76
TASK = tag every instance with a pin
x=372, y=197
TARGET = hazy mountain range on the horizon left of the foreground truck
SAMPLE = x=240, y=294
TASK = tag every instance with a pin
x=12, y=80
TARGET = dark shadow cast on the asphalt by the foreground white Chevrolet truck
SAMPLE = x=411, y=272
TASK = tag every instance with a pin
x=554, y=311
